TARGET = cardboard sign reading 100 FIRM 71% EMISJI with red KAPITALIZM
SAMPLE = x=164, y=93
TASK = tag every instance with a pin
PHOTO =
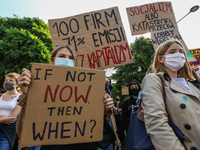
x=98, y=37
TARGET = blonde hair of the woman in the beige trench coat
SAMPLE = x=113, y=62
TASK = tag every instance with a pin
x=184, y=72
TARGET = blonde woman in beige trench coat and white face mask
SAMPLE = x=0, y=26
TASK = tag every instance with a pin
x=182, y=99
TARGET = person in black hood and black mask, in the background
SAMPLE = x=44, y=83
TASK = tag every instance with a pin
x=129, y=104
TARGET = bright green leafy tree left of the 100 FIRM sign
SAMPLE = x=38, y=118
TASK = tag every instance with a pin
x=23, y=41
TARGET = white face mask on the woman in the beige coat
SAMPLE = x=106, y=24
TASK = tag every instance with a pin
x=175, y=61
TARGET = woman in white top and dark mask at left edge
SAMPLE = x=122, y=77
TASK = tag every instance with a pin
x=9, y=111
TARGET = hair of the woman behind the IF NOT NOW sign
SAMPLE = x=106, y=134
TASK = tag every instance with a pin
x=54, y=52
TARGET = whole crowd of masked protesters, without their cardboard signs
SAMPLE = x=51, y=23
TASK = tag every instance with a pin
x=181, y=103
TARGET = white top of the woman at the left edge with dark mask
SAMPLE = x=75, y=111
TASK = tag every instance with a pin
x=7, y=107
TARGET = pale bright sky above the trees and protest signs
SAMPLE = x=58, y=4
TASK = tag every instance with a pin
x=54, y=9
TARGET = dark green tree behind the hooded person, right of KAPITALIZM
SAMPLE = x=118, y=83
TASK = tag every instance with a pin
x=142, y=51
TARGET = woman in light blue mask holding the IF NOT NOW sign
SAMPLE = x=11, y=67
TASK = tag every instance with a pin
x=64, y=56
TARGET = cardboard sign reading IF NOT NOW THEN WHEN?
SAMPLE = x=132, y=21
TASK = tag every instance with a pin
x=64, y=106
